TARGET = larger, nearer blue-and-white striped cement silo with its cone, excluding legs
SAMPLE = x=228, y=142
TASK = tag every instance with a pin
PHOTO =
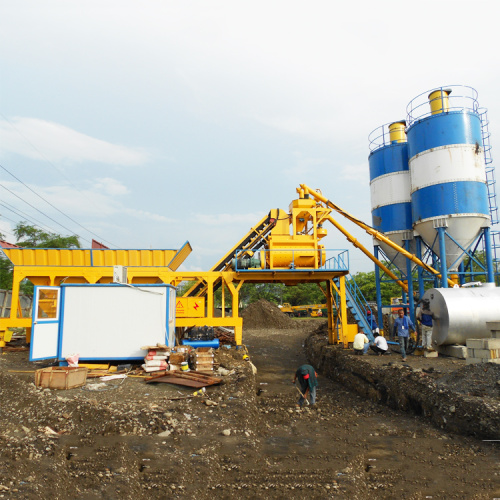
x=447, y=170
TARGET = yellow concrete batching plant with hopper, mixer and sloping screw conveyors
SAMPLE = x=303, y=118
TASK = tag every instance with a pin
x=282, y=248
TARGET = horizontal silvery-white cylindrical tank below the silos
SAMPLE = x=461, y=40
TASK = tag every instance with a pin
x=461, y=313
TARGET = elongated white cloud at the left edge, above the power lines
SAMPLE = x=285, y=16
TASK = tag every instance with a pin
x=32, y=137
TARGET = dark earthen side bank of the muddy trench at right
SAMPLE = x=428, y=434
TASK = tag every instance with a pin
x=405, y=388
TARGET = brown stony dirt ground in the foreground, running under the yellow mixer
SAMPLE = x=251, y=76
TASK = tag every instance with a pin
x=245, y=439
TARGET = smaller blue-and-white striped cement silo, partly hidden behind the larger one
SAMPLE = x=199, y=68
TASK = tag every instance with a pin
x=390, y=189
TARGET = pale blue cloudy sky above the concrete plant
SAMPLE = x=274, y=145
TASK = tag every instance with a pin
x=146, y=124
